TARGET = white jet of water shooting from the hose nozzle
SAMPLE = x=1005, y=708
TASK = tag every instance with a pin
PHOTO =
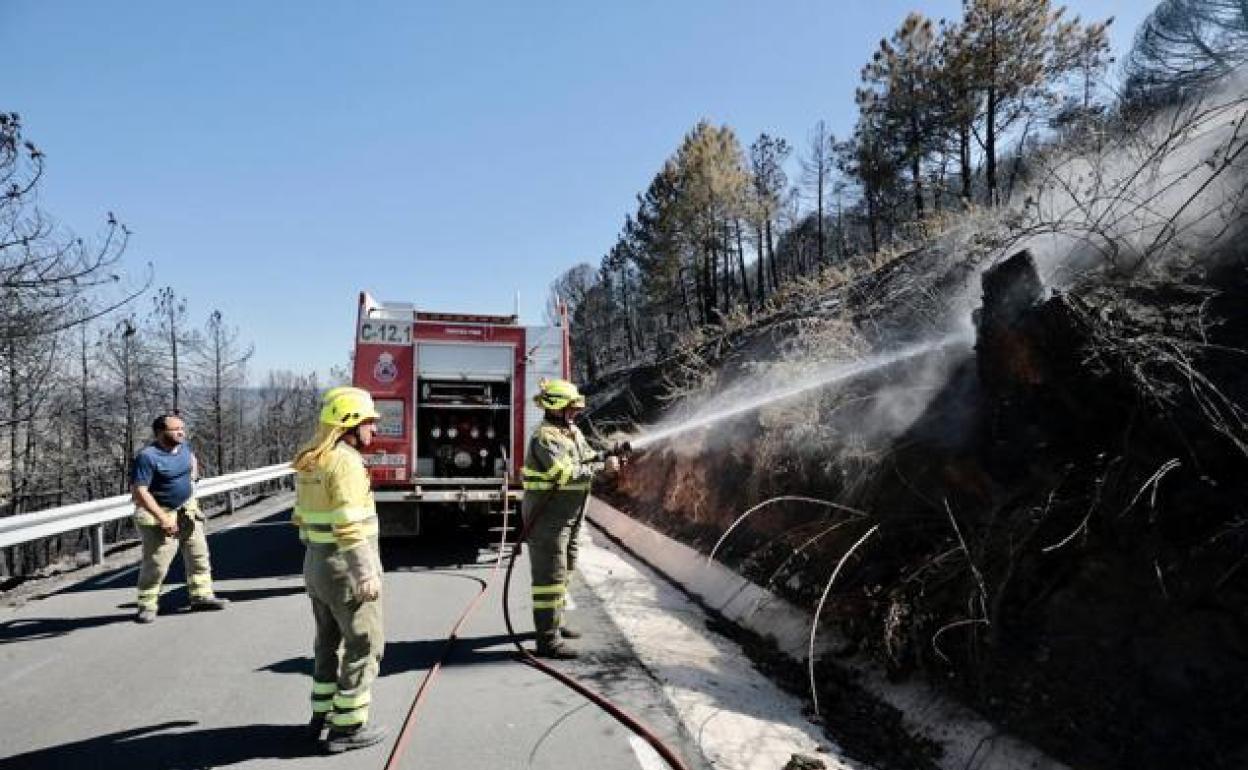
x=839, y=374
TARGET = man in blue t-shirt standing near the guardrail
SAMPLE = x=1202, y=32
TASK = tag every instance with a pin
x=168, y=517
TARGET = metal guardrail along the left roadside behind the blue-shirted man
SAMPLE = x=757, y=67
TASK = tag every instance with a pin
x=95, y=514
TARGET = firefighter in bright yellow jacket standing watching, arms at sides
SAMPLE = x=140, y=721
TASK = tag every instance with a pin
x=338, y=522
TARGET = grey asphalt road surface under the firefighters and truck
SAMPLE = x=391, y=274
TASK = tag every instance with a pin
x=84, y=687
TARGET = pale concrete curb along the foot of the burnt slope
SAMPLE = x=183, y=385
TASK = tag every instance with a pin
x=970, y=743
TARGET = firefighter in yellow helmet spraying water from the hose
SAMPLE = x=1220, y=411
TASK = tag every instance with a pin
x=560, y=469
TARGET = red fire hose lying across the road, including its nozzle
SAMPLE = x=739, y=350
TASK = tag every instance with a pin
x=525, y=656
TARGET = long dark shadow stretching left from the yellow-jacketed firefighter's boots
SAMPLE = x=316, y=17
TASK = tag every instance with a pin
x=155, y=748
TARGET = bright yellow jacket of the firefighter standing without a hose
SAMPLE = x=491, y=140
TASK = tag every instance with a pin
x=334, y=505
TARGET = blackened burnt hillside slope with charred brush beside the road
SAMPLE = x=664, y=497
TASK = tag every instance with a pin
x=1063, y=529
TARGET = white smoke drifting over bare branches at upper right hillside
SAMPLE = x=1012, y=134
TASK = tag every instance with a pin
x=1170, y=187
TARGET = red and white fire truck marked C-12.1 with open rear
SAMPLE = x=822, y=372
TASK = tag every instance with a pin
x=455, y=392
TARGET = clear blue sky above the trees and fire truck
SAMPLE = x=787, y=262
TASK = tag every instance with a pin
x=274, y=159
